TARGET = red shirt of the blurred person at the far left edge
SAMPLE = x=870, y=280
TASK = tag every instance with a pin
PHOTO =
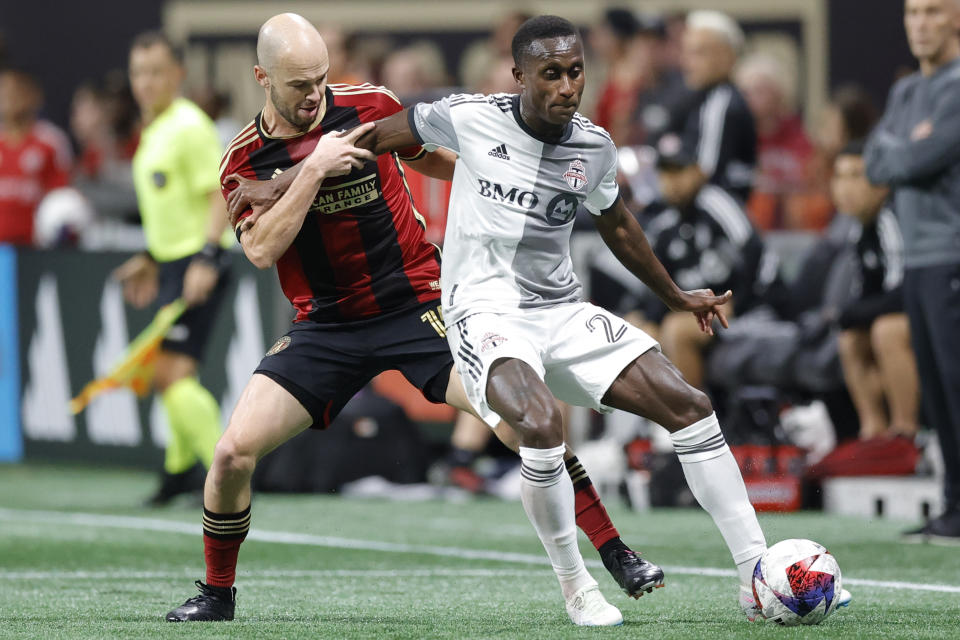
x=30, y=166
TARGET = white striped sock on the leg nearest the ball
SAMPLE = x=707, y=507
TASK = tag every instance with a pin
x=714, y=478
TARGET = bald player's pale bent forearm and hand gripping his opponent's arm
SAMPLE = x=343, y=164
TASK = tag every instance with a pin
x=268, y=239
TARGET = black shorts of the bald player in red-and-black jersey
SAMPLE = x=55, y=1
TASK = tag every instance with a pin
x=324, y=365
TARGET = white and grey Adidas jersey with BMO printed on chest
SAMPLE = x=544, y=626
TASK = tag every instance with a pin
x=513, y=202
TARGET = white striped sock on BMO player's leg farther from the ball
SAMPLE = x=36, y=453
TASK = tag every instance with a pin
x=547, y=495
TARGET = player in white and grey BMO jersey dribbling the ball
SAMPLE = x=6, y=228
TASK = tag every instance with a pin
x=519, y=332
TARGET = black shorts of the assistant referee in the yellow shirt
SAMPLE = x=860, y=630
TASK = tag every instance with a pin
x=191, y=333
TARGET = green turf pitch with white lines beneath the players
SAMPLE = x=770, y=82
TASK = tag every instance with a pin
x=63, y=578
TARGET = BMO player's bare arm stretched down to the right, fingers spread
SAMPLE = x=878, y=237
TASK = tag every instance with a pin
x=623, y=234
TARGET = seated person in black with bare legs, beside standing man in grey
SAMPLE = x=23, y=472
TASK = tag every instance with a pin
x=878, y=363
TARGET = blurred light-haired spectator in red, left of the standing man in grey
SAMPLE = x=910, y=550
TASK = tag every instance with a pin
x=784, y=153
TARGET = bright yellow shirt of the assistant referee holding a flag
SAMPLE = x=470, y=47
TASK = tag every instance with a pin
x=175, y=169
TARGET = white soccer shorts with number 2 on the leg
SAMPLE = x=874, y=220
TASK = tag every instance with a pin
x=577, y=349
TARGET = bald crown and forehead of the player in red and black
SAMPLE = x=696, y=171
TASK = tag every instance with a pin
x=289, y=38
